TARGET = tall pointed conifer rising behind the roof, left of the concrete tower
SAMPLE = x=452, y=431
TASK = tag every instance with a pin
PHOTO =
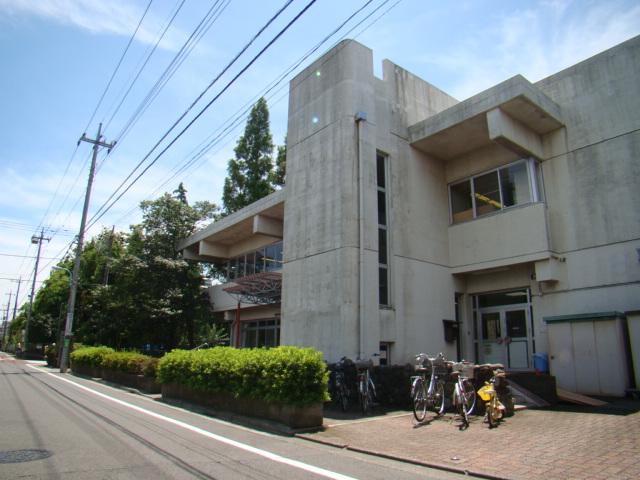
x=250, y=172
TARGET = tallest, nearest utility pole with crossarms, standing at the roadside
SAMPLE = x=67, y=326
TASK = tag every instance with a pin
x=68, y=328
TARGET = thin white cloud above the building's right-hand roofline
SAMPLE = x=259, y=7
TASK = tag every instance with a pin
x=536, y=42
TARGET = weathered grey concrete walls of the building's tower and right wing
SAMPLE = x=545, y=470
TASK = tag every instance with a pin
x=583, y=236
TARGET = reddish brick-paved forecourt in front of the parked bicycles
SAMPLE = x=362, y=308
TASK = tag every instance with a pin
x=565, y=443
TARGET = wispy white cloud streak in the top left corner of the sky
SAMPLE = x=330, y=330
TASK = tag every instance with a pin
x=116, y=17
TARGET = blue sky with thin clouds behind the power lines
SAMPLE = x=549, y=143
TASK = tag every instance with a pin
x=58, y=55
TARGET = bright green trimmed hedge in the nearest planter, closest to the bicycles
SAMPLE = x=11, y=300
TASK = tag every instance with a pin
x=286, y=375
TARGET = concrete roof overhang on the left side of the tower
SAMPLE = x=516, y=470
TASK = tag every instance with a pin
x=254, y=226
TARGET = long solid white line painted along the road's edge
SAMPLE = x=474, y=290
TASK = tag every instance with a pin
x=242, y=446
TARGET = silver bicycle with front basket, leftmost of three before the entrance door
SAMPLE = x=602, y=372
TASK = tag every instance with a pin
x=431, y=396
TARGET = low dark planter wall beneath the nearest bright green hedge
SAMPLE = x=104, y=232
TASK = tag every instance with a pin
x=291, y=416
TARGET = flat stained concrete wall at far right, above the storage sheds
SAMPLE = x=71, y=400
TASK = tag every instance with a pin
x=592, y=185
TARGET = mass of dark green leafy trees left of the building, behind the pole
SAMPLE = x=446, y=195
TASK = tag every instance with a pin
x=152, y=294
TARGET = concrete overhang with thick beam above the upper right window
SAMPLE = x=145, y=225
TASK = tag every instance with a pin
x=514, y=113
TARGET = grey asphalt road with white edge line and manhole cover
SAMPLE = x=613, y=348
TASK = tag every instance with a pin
x=55, y=426
